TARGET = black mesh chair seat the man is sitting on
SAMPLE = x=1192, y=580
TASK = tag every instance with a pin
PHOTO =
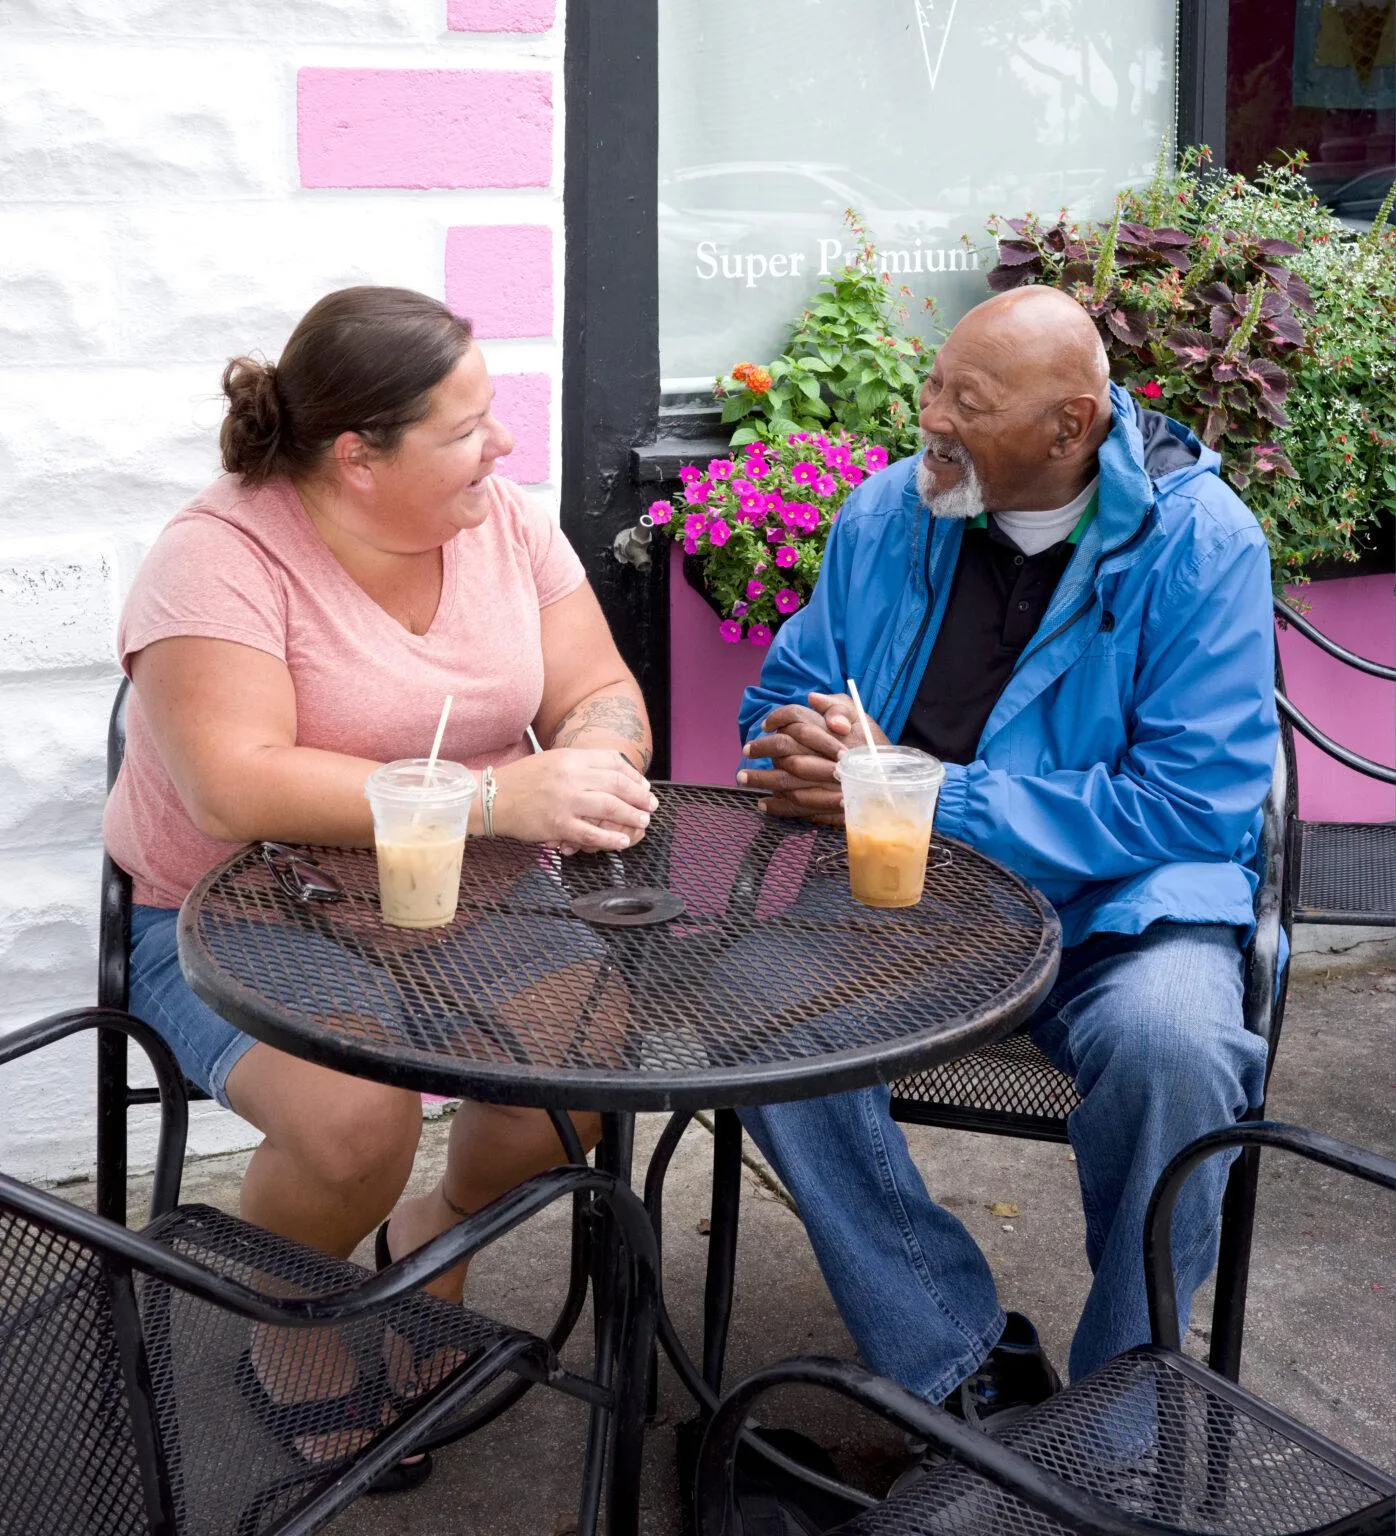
x=1008, y=1087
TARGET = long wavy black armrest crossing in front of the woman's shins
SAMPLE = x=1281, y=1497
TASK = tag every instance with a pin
x=139, y=1251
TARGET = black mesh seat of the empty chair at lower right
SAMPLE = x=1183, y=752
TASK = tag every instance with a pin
x=1160, y=1440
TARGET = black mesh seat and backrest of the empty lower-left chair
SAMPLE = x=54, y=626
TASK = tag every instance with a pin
x=71, y=1462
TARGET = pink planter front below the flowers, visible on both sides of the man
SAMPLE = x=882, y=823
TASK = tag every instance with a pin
x=1360, y=612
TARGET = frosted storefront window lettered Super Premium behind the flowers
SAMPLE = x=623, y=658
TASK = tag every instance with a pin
x=925, y=116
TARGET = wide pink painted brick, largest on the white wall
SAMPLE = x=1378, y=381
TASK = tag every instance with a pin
x=425, y=128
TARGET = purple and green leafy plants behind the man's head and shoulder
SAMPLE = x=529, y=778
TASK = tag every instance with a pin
x=1248, y=311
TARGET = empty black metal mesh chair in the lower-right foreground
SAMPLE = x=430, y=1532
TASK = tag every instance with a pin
x=1151, y=1445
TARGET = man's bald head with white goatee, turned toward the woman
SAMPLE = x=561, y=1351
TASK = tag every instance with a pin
x=1017, y=406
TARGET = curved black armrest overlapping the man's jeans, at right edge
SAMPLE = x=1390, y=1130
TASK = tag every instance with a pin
x=1159, y=1220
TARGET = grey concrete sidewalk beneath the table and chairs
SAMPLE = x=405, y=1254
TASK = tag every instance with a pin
x=1322, y=1322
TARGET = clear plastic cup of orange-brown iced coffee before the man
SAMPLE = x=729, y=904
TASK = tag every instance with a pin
x=888, y=807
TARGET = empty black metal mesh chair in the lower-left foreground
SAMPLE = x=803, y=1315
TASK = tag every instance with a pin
x=128, y=1394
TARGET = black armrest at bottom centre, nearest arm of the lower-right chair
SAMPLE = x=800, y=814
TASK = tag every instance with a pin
x=1077, y=1511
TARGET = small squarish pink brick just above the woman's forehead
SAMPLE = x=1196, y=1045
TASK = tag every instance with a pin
x=501, y=279
